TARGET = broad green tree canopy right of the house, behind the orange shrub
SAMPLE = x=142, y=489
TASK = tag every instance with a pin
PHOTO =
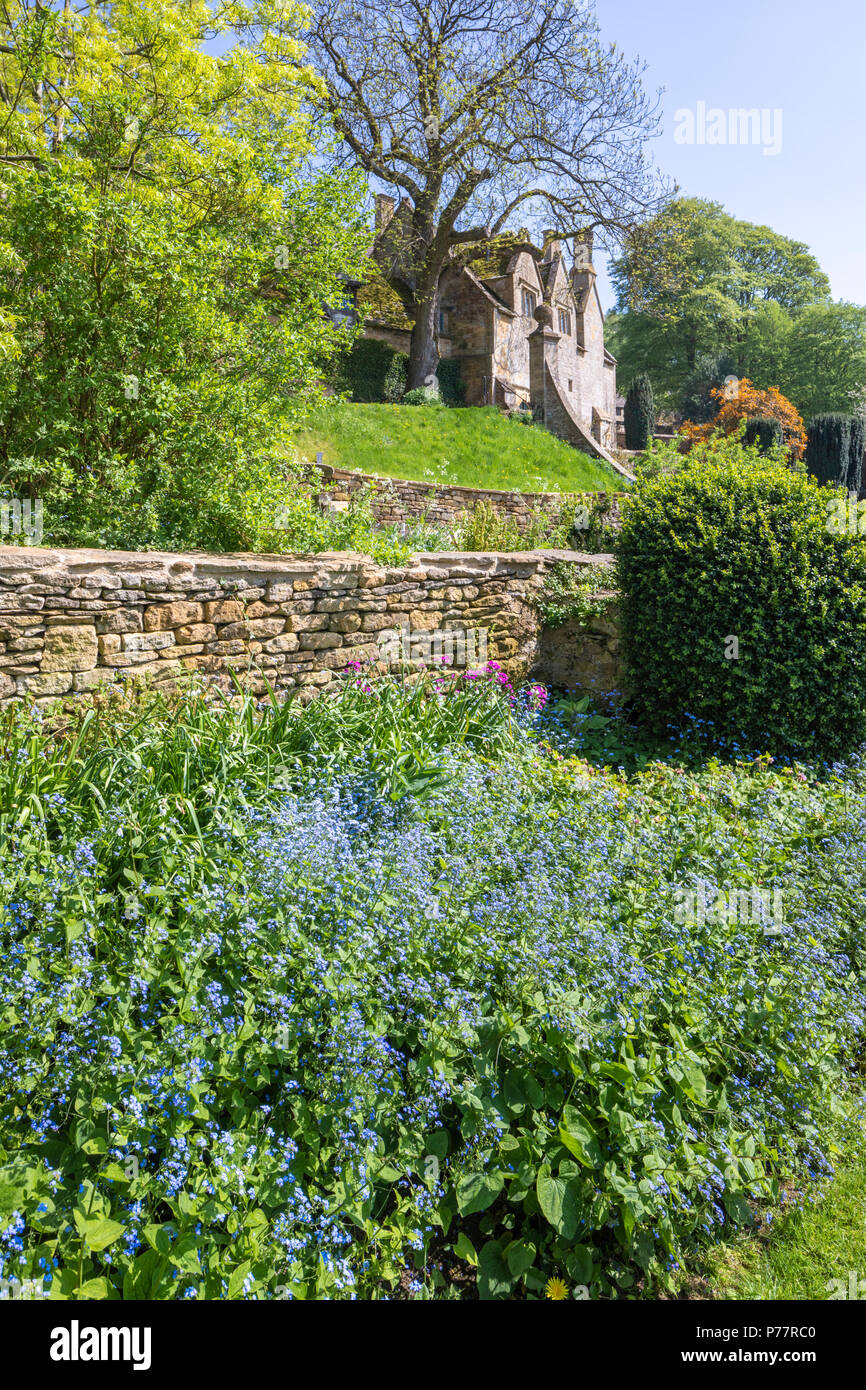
x=694, y=283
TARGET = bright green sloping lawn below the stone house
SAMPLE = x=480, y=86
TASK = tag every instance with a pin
x=475, y=448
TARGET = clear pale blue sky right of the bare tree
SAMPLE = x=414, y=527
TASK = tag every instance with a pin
x=800, y=58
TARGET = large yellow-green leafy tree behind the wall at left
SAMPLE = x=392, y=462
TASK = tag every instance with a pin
x=165, y=265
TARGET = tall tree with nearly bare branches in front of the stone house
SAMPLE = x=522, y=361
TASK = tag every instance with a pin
x=475, y=109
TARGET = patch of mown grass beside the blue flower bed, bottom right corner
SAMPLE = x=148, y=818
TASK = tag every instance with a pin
x=800, y=1254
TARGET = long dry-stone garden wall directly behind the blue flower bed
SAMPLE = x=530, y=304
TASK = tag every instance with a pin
x=74, y=621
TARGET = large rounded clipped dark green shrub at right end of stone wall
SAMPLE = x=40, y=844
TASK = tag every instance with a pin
x=742, y=610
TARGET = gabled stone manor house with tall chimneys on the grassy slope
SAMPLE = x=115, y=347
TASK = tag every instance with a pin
x=528, y=330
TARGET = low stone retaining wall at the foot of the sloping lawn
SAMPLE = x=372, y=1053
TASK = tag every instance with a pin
x=443, y=504
